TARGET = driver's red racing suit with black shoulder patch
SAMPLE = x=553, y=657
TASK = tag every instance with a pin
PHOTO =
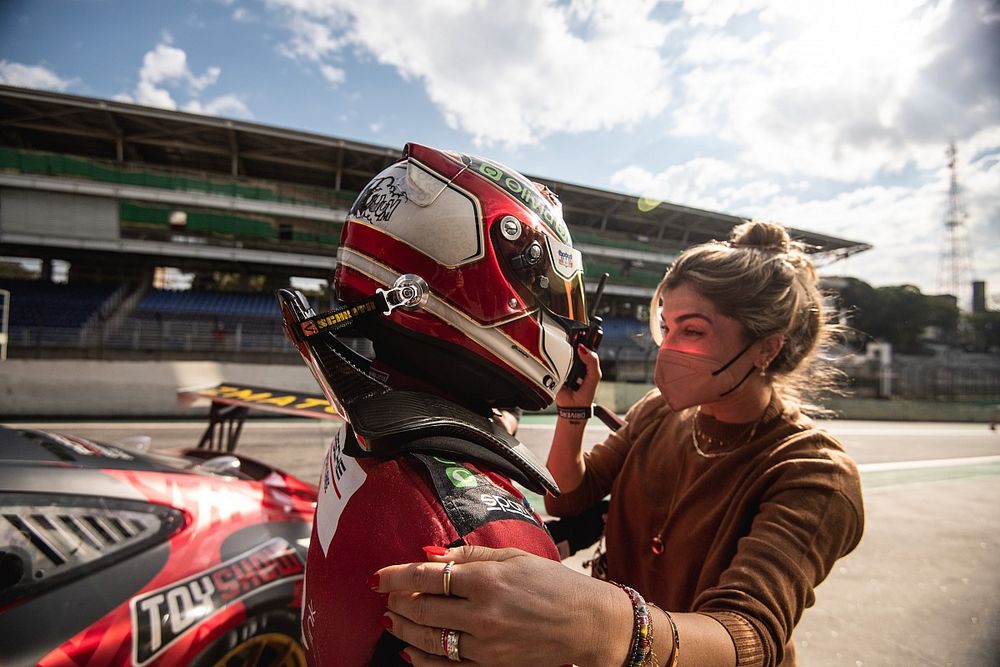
x=377, y=512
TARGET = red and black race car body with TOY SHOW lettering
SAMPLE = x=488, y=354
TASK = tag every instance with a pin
x=115, y=556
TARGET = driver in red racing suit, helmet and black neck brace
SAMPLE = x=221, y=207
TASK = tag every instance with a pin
x=462, y=274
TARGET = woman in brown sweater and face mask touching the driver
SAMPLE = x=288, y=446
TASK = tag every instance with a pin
x=728, y=507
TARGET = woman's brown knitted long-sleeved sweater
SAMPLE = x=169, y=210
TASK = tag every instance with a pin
x=747, y=536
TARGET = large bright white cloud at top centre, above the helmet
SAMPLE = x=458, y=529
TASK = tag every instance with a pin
x=515, y=74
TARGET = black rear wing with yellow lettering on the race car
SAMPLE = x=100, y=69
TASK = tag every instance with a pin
x=230, y=403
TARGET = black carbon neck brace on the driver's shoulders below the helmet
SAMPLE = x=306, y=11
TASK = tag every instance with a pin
x=387, y=422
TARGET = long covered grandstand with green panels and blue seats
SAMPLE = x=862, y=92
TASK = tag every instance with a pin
x=120, y=191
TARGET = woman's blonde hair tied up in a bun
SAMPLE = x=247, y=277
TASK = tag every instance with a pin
x=767, y=282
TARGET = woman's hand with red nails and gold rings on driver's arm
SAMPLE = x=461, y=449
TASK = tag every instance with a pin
x=510, y=608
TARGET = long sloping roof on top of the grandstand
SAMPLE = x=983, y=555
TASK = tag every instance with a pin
x=122, y=132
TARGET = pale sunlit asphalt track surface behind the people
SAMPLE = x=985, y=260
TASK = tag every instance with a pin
x=921, y=589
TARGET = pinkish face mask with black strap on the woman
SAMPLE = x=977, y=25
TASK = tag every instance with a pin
x=686, y=379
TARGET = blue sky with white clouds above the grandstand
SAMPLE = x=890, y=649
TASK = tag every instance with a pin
x=832, y=117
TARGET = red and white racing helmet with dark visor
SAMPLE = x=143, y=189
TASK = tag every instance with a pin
x=505, y=284
